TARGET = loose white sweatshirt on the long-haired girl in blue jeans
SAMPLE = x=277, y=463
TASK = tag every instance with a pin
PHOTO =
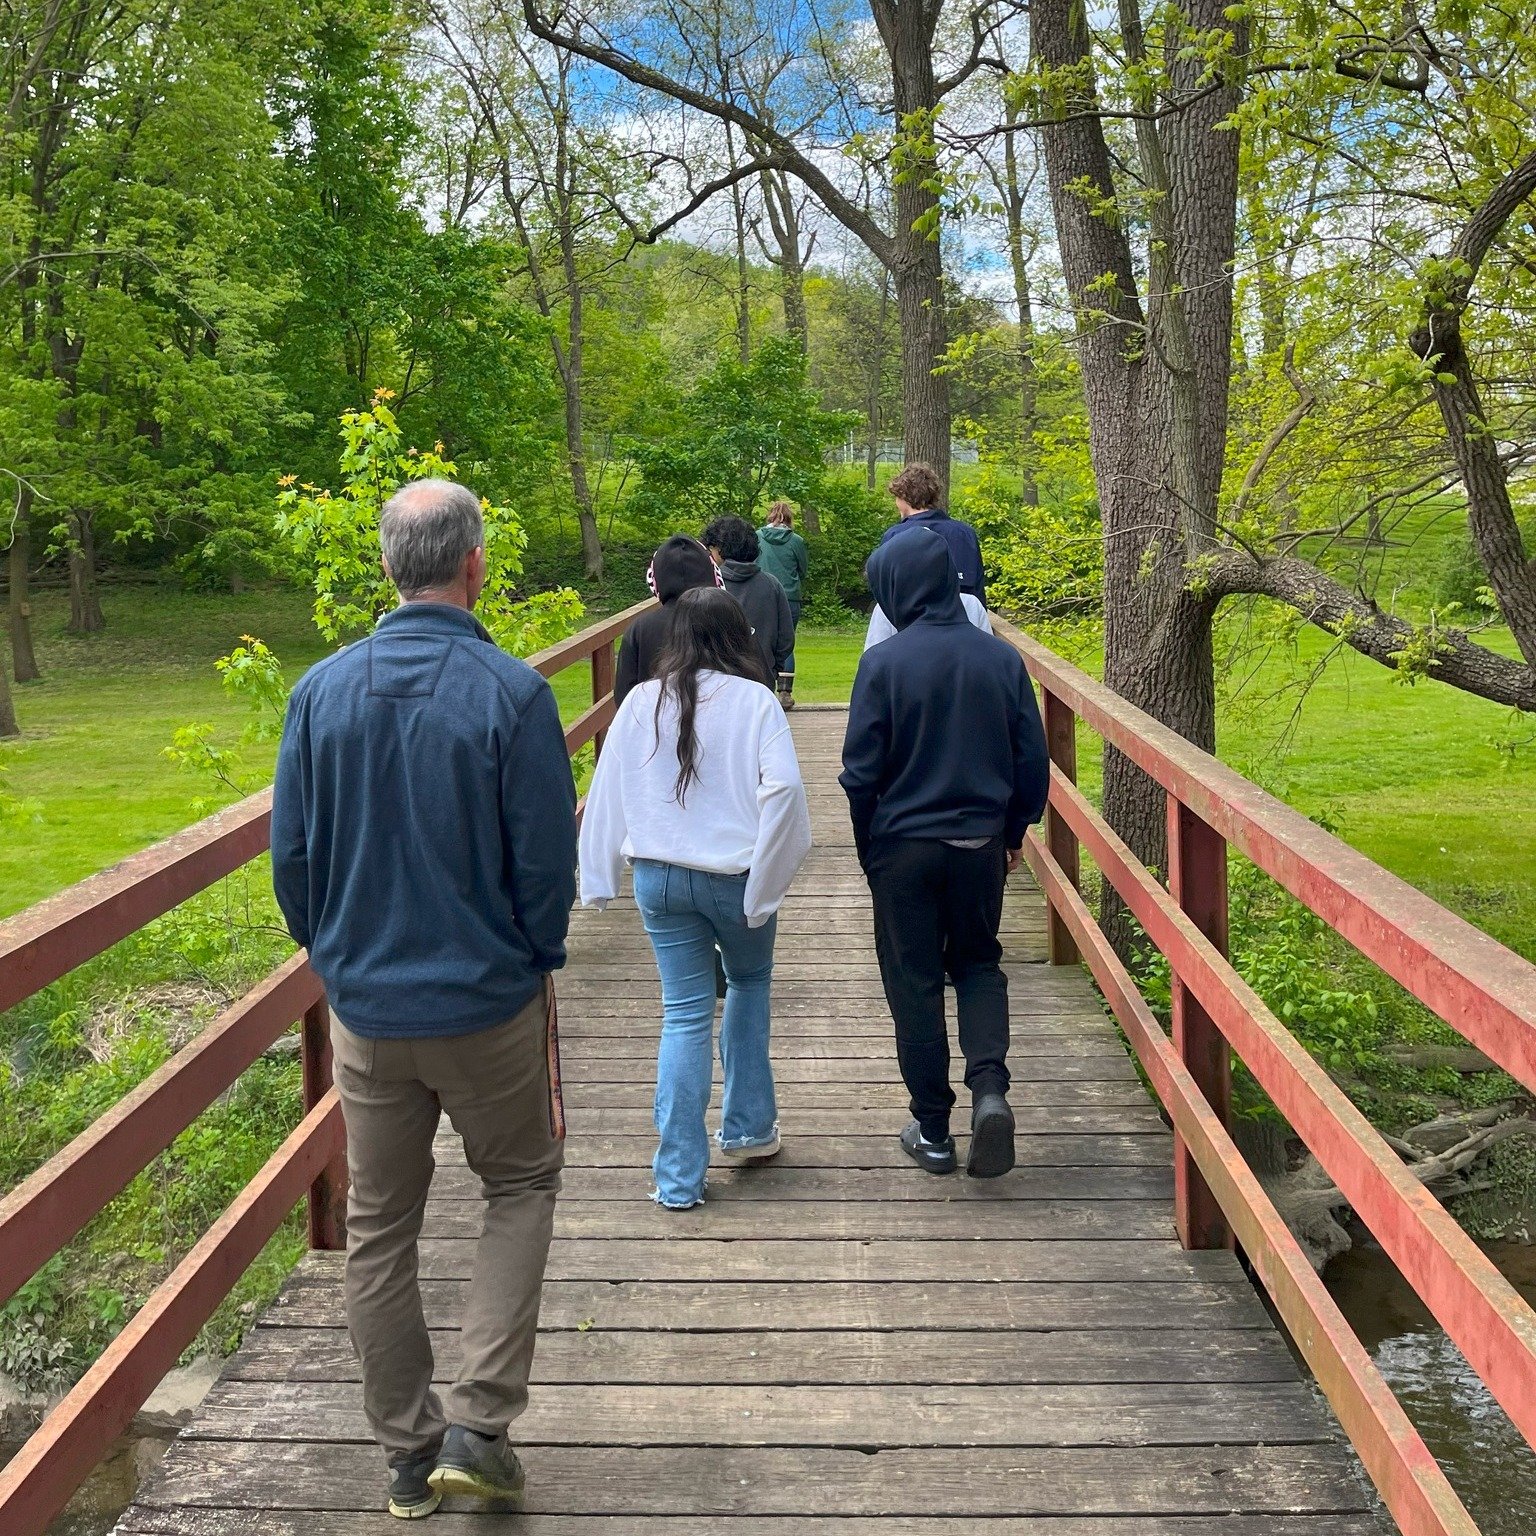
x=744, y=813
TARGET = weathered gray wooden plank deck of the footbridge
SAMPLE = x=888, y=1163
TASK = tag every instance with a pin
x=835, y=1345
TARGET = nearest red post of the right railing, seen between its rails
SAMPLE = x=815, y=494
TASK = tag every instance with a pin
x=1197, y=879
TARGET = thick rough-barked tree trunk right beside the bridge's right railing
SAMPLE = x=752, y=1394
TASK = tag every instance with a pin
x=1157, y=414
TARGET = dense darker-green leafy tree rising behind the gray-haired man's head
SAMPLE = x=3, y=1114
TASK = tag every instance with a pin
x=383, y=302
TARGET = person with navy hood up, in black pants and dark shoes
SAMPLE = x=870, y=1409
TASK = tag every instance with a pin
x=945, y=766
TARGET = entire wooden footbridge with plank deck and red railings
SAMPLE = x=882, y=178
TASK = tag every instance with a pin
x=838, y=1343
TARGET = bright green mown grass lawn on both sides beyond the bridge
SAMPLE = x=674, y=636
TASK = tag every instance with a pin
x=1408, y=775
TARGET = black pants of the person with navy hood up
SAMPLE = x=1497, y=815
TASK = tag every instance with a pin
x=936, y=913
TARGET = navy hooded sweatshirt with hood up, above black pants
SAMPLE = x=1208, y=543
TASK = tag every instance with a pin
x=944, y=732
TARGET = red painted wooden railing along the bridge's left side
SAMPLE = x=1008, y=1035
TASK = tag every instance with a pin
x=50, y=1208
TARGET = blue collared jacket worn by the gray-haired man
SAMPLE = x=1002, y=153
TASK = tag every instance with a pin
x=425, y=827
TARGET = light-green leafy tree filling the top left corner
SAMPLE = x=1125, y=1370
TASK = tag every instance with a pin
x=136, y=280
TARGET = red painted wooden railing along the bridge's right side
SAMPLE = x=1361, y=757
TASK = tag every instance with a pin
x=1478, y=987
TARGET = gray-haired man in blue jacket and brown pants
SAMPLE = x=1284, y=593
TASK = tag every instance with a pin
x=425, y=853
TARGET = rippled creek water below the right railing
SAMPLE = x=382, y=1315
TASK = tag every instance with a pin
x=1488, y=1462
